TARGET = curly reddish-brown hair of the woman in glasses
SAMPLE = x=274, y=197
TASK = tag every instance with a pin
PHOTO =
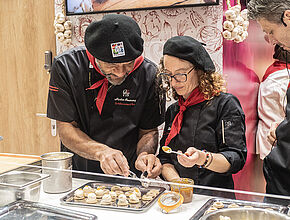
x=210, y=84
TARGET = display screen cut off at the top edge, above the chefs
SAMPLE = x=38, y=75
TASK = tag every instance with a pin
x=101, y=6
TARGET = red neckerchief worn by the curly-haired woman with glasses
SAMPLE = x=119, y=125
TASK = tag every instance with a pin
x=195, y=97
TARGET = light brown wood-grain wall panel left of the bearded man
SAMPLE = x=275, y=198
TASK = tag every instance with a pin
x=26, y=31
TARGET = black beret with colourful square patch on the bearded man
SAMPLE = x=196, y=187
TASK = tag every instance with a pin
x=114, y=39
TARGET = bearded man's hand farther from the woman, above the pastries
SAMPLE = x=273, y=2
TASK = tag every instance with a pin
x=113, y=161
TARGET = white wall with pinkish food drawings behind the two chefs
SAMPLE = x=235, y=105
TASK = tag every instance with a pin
x=202, y=23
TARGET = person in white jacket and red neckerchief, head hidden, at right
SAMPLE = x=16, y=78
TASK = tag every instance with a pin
x=272, y=100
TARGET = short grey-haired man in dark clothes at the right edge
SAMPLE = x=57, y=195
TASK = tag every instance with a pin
x=277, y=27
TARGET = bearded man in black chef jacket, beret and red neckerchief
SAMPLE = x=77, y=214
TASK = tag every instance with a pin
x=104, y=100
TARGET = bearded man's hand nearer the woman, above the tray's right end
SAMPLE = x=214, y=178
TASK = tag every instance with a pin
x=149, y=163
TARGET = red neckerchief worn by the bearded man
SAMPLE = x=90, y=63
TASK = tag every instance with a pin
x=104, y=82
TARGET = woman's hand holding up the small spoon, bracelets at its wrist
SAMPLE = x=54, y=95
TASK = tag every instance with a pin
x=191, y=157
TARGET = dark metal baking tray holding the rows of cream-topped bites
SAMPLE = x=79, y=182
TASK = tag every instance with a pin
x=139, y=207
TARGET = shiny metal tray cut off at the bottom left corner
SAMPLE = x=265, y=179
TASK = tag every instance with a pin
x=26, y=210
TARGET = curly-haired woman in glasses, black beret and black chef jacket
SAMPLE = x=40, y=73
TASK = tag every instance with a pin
x=205, y=124
